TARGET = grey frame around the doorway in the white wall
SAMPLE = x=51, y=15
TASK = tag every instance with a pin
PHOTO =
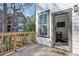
x=69, y=11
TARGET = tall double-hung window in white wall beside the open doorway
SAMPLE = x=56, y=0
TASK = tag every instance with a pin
x=43, y=23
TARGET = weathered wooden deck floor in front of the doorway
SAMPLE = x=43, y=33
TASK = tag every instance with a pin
x=39, y=50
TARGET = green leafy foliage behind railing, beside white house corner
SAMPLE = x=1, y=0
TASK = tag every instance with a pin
x=30, y=24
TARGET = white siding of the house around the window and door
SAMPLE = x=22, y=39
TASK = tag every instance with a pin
x=75, y=22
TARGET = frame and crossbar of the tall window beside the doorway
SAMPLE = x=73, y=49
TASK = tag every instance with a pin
x=43, y=24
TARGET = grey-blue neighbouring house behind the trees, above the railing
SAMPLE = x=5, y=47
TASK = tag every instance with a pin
x=14, y=24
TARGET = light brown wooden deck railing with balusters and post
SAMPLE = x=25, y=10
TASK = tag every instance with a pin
x=12, y=41
